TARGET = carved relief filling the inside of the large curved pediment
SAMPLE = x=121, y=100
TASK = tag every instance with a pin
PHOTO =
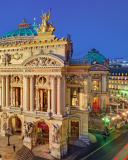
x=42, y=61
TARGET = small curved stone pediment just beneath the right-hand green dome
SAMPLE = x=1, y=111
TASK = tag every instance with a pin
x=98, y=67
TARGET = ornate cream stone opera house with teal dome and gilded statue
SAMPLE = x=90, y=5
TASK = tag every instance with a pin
x=44, y=94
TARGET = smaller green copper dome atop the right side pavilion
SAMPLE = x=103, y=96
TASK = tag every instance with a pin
x=95, y=55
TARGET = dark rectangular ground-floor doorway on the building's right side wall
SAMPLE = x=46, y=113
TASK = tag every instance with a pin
x=75, y=129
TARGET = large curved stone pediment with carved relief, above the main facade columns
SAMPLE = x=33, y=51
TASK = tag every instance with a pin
x=43, y=61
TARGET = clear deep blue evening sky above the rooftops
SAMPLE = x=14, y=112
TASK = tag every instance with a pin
x=100, y=24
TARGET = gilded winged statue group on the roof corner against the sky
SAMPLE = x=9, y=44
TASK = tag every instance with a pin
x=45, y=27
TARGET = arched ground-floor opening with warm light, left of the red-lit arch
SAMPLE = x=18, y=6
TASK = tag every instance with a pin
x=15, y=125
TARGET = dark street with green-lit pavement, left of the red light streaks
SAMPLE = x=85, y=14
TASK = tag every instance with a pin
x=99, y=150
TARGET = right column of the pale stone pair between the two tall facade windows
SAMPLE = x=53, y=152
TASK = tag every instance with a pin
x=32, y=93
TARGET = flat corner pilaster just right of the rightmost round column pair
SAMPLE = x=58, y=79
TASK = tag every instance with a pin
x=63, y=95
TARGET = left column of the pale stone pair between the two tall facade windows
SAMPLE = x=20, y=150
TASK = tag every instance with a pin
x=26, y=96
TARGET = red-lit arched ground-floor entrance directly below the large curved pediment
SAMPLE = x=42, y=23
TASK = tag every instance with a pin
x=43, y=133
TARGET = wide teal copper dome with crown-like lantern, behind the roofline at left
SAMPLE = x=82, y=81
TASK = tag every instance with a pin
x=23, y=29
